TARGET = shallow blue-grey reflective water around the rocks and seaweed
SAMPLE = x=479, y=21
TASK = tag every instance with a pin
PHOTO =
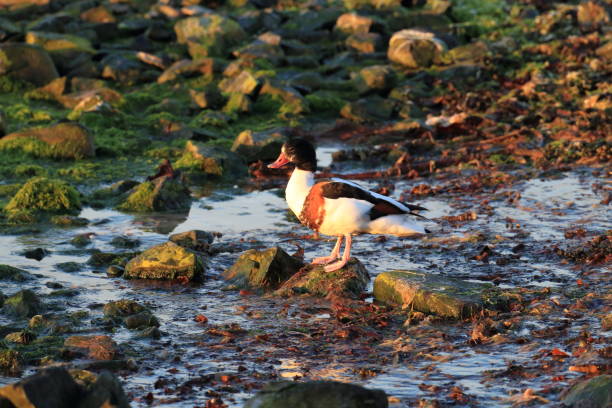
x=257, y=219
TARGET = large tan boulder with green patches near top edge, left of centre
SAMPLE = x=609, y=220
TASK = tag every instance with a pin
x=210, y=34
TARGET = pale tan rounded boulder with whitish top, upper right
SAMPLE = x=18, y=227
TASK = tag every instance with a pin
x=414, y=48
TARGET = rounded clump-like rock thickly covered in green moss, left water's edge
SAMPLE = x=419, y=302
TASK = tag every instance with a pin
x=43, y=195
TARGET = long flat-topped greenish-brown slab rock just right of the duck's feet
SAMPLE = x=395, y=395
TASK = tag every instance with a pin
x=435, y=294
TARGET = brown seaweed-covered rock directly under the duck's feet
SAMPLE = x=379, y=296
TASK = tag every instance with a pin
x=349, y=281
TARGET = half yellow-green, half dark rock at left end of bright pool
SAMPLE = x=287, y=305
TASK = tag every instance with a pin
x=161, y=194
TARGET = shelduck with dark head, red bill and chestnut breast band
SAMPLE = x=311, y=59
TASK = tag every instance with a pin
x=339, y=207
